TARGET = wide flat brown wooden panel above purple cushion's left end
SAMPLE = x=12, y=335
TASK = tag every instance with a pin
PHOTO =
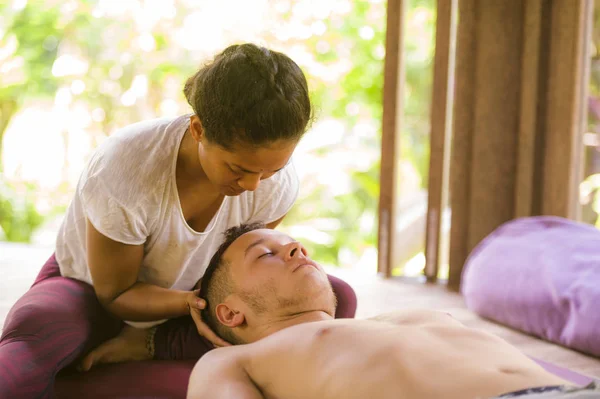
x=496, y=117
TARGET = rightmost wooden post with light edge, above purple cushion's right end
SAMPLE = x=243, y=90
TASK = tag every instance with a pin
x=565, y=118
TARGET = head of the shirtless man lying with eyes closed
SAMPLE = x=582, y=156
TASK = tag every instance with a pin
x=259, y=277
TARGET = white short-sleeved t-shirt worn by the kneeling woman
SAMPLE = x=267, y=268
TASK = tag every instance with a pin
x=128, y=192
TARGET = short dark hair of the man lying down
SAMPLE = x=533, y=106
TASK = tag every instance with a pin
x=216, y=283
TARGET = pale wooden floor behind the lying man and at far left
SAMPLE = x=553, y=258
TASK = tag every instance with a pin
x=19, y=266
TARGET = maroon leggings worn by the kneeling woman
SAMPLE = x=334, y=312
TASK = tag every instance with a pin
x=60, y=319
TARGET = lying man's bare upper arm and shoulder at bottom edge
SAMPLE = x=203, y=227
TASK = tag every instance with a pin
x=220, y=374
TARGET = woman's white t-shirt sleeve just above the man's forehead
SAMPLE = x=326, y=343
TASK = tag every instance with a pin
x=276, y=196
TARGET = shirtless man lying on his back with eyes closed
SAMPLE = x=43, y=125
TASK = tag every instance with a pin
x=263, y=290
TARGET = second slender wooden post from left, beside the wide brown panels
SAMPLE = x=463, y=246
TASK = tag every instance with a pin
x=441, y=123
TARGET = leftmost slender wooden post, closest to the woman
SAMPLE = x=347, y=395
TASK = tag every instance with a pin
x=390, y=134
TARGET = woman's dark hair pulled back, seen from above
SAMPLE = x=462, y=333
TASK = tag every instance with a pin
x=250, y=95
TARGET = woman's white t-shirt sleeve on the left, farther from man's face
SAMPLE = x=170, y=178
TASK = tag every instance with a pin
x=109, y=201
